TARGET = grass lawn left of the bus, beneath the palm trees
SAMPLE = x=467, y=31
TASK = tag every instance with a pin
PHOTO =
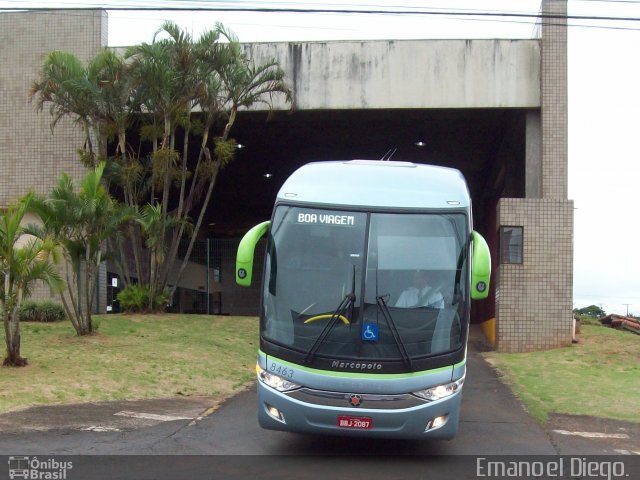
x=131, y=357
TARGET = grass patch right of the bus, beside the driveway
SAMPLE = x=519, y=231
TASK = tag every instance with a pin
x=600, y=376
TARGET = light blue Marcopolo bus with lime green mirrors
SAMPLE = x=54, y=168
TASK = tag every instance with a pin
x=369, y=272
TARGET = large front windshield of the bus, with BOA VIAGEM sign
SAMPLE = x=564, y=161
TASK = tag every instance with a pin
x=392, y=284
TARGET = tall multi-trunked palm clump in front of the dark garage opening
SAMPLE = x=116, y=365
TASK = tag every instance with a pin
x=174, y=86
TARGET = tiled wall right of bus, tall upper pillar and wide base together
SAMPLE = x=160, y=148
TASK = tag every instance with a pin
x=535, y=299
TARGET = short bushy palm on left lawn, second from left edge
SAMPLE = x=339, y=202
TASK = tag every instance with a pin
x=81, y=221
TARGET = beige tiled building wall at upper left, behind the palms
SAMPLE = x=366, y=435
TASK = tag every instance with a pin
x=32, y=156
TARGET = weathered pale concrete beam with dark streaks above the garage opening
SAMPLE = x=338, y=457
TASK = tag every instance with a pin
x=414, y=74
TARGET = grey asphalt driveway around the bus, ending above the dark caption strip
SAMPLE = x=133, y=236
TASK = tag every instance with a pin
x=492, y=422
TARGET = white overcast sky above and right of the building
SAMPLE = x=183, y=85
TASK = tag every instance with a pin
x=604, y=98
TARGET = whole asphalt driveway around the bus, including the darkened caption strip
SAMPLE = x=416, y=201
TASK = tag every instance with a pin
x=229, y=443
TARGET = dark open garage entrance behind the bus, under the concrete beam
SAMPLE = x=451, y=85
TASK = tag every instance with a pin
x=487, y=145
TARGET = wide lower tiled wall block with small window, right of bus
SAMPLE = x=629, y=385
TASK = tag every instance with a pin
x=534, y=299
